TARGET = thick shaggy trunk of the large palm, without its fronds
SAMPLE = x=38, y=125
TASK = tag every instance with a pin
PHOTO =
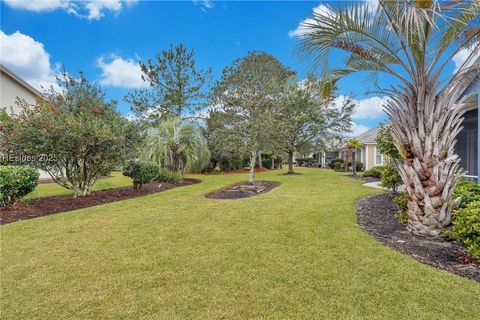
x=424, y=129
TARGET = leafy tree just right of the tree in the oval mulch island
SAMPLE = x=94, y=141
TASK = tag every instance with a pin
x=305, y=116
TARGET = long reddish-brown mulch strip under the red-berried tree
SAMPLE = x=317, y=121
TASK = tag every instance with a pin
x=50, y=205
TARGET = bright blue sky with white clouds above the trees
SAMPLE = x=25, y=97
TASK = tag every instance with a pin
x=106, y=39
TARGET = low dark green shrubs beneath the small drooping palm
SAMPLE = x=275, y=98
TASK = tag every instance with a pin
x=143, y=172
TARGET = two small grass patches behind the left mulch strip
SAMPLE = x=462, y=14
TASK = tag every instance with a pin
x=117, y=179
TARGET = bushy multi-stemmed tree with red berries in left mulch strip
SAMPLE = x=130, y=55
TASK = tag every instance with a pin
x=73, y=134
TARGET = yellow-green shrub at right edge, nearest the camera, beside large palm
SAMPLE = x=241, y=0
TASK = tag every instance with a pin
x=466, y=228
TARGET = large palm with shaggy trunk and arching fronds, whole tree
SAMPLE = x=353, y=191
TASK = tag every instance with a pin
x=413, y=42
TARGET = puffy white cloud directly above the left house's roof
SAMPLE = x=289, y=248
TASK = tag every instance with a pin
x=27, y=57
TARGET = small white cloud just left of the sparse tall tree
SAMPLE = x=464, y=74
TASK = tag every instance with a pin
x=119, y=72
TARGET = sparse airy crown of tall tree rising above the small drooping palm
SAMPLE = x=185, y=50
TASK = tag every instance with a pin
x=177, y=86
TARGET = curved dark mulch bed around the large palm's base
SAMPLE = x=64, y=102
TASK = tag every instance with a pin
x=377, y=216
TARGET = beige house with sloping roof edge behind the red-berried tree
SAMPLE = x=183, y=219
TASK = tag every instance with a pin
x=13, y=87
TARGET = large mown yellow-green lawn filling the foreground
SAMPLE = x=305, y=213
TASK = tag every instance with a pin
x=294, y=253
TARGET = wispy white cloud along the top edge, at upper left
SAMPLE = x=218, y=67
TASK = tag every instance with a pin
x=91, y=10
